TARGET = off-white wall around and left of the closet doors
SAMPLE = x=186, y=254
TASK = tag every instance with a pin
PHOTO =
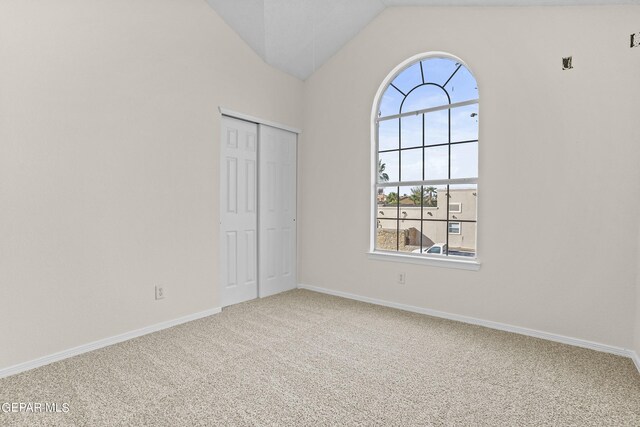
x=109, y=162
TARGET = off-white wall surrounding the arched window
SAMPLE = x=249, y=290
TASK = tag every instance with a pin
x=551, y=141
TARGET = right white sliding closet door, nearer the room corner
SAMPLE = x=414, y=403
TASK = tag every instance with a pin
x=277, y=213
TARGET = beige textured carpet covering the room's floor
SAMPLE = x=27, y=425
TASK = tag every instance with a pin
x=305, y=359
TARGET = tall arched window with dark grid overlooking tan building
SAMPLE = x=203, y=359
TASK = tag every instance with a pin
x=426, y=161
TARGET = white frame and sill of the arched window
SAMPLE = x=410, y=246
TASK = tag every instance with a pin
x=450, y=261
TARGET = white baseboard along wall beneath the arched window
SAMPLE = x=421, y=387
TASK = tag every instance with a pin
x=486, y=323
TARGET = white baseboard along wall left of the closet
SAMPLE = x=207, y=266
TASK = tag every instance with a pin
x=45, y=360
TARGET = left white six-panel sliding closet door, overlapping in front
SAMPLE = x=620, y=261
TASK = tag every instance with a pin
x=238, y=211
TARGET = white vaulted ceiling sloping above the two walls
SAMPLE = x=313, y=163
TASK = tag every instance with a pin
x=298, y=36
